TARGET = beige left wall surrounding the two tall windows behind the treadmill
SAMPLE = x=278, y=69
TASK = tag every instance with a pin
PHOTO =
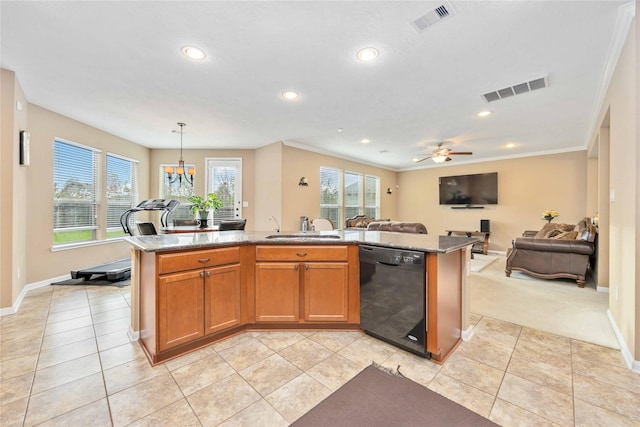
x=42, y=262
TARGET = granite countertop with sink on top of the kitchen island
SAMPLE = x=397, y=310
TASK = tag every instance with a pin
x=207, y=240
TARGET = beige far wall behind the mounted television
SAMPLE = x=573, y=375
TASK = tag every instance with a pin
x=526, y=187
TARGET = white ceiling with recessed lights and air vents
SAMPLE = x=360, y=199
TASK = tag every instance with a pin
x=118, y=66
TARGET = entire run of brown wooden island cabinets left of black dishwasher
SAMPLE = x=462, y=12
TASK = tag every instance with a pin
x=191, y=298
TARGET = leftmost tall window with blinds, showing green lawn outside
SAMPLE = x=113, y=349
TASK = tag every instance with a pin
x=75, y=192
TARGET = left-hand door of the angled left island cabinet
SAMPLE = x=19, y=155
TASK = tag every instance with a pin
x=180, y=308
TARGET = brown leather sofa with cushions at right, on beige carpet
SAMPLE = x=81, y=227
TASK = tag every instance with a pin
x=556, y=251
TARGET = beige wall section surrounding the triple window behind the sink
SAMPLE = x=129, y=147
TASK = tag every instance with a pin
x=298, y=201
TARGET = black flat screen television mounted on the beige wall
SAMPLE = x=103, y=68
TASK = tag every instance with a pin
x=477, y=189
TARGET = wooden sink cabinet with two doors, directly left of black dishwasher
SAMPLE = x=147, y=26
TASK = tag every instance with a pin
x=304, y=284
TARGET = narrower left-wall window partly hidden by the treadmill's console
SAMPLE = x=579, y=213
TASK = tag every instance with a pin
x=121, y=191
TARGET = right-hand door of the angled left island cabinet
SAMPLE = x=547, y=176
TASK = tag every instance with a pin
x=221, y=298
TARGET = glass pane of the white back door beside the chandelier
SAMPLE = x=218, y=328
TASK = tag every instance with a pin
x=224, y=179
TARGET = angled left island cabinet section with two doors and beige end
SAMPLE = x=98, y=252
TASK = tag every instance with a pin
x=197, y=293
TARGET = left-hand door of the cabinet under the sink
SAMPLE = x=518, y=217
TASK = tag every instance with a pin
x=277, y=292
